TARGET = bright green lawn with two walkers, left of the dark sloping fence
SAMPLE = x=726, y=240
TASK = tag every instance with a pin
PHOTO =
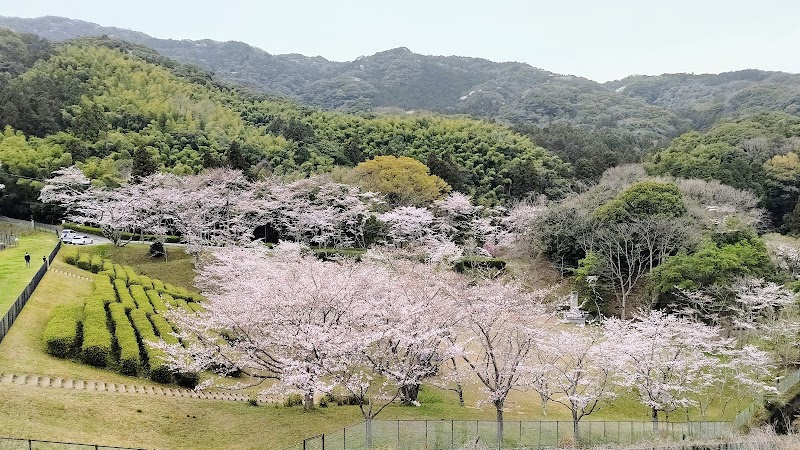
x=14, y=275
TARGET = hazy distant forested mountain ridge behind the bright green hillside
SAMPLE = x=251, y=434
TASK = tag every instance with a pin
x=399, y=78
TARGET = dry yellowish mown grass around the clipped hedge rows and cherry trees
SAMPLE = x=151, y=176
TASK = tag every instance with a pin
x=161, y=422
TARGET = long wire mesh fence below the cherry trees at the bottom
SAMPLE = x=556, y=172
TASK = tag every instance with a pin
x=453, y=434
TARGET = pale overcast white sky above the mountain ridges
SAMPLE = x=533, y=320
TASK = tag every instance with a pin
x=601, y=40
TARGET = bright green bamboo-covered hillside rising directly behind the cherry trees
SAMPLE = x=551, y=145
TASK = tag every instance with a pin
x=119, y=110
